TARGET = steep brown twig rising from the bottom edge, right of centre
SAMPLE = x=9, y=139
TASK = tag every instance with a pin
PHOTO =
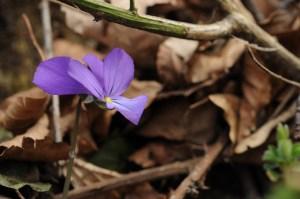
x=200, y=169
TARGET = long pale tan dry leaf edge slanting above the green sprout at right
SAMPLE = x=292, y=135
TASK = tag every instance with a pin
x=260, y=136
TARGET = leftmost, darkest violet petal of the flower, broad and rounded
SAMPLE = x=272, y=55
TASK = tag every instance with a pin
x=52, y=76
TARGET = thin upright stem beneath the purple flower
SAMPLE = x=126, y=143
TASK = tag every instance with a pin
x=72, y=153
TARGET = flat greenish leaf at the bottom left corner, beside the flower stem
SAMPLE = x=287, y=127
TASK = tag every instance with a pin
x=15, y=183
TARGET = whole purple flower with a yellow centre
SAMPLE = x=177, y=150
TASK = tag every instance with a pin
x=106, y=80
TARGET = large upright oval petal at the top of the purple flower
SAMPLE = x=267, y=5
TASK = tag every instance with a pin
x=118, y=72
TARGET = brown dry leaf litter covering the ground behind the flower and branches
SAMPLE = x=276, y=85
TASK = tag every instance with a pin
x=235, y=98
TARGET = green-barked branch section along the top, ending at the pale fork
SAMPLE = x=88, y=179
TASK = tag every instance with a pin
x=109, y=12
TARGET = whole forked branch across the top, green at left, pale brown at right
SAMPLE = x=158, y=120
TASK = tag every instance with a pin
x=239, y=22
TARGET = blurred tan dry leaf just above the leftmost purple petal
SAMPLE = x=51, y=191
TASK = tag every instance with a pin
x=62, y=47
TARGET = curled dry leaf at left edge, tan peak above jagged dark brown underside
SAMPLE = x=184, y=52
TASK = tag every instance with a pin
x=34, y=145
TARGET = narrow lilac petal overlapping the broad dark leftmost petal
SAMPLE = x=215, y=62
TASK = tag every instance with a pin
x=83, y=75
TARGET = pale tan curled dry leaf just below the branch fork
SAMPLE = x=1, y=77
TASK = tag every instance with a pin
x=210, y=65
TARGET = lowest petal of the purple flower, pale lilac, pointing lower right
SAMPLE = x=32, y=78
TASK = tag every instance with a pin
x=131, y=109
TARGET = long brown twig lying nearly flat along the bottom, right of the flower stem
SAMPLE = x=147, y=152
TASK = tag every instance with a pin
x=134, y=178
